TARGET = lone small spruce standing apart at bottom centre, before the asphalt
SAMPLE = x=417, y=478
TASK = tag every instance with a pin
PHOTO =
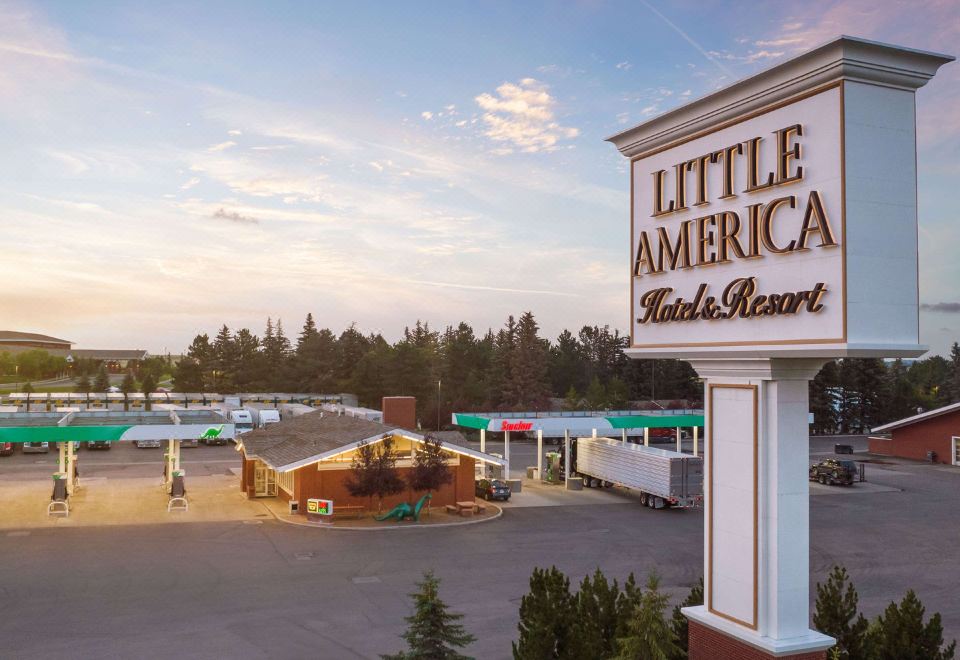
x=433, y=632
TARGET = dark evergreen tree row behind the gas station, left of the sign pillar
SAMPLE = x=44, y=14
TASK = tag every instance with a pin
x=512, y=368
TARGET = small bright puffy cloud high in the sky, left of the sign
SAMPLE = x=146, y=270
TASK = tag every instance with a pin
x=522, y=115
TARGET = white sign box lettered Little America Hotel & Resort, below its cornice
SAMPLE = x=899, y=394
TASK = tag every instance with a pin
x=775, y=233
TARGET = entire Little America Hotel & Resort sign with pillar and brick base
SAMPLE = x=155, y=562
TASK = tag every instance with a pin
x=774, y=227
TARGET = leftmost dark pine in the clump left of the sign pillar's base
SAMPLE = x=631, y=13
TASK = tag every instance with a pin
x=547, y=618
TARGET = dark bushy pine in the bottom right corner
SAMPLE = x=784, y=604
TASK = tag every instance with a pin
x=900, y=634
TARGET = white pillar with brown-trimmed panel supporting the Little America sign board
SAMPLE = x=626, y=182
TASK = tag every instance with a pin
x=755, y=479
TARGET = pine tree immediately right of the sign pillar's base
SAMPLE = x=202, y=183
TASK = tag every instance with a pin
x=836, y=614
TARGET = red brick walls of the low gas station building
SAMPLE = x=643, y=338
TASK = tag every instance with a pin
x=309, y=482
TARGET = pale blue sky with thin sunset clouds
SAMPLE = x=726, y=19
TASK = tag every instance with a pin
x=166, y=168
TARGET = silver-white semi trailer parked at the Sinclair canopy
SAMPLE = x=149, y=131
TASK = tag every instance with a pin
x=662, y=478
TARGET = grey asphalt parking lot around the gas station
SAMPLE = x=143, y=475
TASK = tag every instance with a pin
x=257, y=588
